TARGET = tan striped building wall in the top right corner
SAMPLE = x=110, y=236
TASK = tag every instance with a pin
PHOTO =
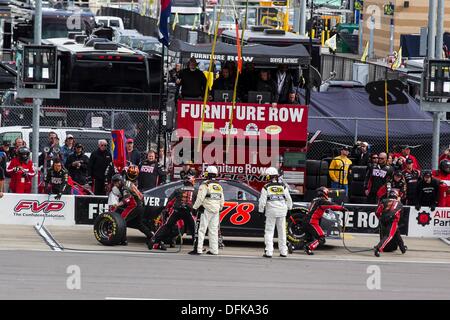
x=406, y=21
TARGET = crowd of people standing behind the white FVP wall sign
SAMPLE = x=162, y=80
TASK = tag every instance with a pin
x=65, y=167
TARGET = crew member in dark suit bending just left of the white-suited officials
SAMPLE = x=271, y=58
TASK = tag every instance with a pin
x=179, y=206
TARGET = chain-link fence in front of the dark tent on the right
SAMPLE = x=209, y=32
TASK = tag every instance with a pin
x=420, y=144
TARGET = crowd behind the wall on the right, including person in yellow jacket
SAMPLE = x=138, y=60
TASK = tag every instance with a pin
x=398, y=170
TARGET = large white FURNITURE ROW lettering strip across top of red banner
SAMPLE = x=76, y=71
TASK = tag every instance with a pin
x=249, y=113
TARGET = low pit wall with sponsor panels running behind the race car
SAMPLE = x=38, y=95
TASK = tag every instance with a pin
x=32, y=209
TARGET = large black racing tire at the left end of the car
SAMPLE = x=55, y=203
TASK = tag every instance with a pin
x=110, y=228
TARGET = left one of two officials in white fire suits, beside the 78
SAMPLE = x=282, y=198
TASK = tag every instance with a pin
x=210, y=197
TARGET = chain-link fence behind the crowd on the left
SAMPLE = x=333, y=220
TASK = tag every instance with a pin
x=87, y=125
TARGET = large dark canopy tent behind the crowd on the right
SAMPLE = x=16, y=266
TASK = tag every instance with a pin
x=347, y=114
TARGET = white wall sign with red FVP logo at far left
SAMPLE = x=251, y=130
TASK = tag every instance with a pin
x=29, y=209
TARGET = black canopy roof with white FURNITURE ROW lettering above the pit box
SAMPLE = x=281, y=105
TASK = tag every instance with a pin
x=256, y=53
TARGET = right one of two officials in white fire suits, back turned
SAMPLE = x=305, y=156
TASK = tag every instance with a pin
x=275, y=201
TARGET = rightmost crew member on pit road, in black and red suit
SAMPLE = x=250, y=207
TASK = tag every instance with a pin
x=388, y=212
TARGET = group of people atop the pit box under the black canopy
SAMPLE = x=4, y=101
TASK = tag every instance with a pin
x=280, y=84
